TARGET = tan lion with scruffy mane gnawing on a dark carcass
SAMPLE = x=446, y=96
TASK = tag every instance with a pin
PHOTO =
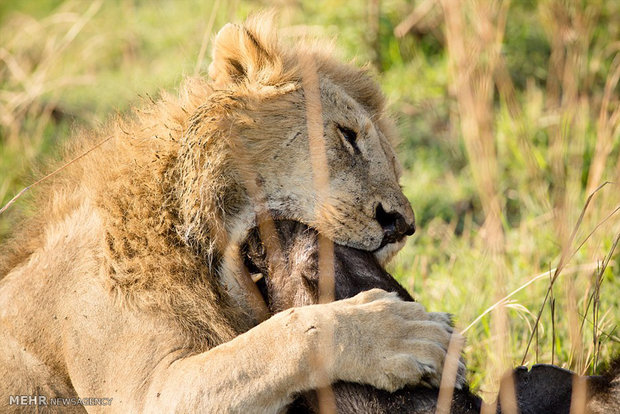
x=127, y=284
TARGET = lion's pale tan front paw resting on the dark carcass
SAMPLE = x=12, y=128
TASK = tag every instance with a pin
x=388, y=343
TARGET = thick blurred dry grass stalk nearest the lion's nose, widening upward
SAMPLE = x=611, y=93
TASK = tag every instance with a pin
x=477, y=29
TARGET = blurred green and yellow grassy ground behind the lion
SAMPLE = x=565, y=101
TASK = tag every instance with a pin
x=509, y=115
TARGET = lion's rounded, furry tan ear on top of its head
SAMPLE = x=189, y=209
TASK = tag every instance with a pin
x=246, y=53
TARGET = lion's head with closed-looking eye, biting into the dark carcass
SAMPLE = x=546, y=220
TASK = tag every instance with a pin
x=259, y=107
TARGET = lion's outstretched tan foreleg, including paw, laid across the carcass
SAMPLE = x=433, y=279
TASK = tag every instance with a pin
x=305, y=348
